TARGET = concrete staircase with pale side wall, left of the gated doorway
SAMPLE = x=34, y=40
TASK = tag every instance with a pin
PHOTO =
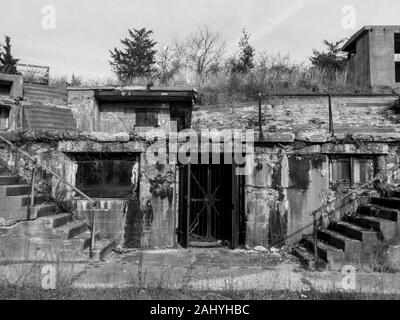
x=42, y=227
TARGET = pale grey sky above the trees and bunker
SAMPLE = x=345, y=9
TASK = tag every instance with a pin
x=85, y=30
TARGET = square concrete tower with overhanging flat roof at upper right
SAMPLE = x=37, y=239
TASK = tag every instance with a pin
x=374, y=57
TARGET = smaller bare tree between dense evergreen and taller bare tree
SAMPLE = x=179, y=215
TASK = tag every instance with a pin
x=170, y=61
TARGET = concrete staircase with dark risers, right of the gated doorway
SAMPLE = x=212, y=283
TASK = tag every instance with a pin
x=357, y=238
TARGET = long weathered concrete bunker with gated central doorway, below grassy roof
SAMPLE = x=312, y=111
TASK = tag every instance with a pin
x=95, y=139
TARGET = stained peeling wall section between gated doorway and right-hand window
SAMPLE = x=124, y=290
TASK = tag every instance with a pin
x=279, y=193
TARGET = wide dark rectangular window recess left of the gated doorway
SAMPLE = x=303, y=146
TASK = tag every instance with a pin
x=105, y=177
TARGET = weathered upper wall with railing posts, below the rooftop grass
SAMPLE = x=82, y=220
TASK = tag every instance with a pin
x=308, y=119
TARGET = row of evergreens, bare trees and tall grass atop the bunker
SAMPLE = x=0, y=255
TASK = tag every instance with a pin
x=200, y=60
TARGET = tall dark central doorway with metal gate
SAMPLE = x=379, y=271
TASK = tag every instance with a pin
x=211, y=206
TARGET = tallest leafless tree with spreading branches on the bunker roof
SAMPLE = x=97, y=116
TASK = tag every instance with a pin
x=204, y=51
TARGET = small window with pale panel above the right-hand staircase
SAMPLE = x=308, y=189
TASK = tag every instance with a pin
x=351, y=171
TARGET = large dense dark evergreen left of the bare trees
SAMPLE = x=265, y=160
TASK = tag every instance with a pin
x=137, y=57
